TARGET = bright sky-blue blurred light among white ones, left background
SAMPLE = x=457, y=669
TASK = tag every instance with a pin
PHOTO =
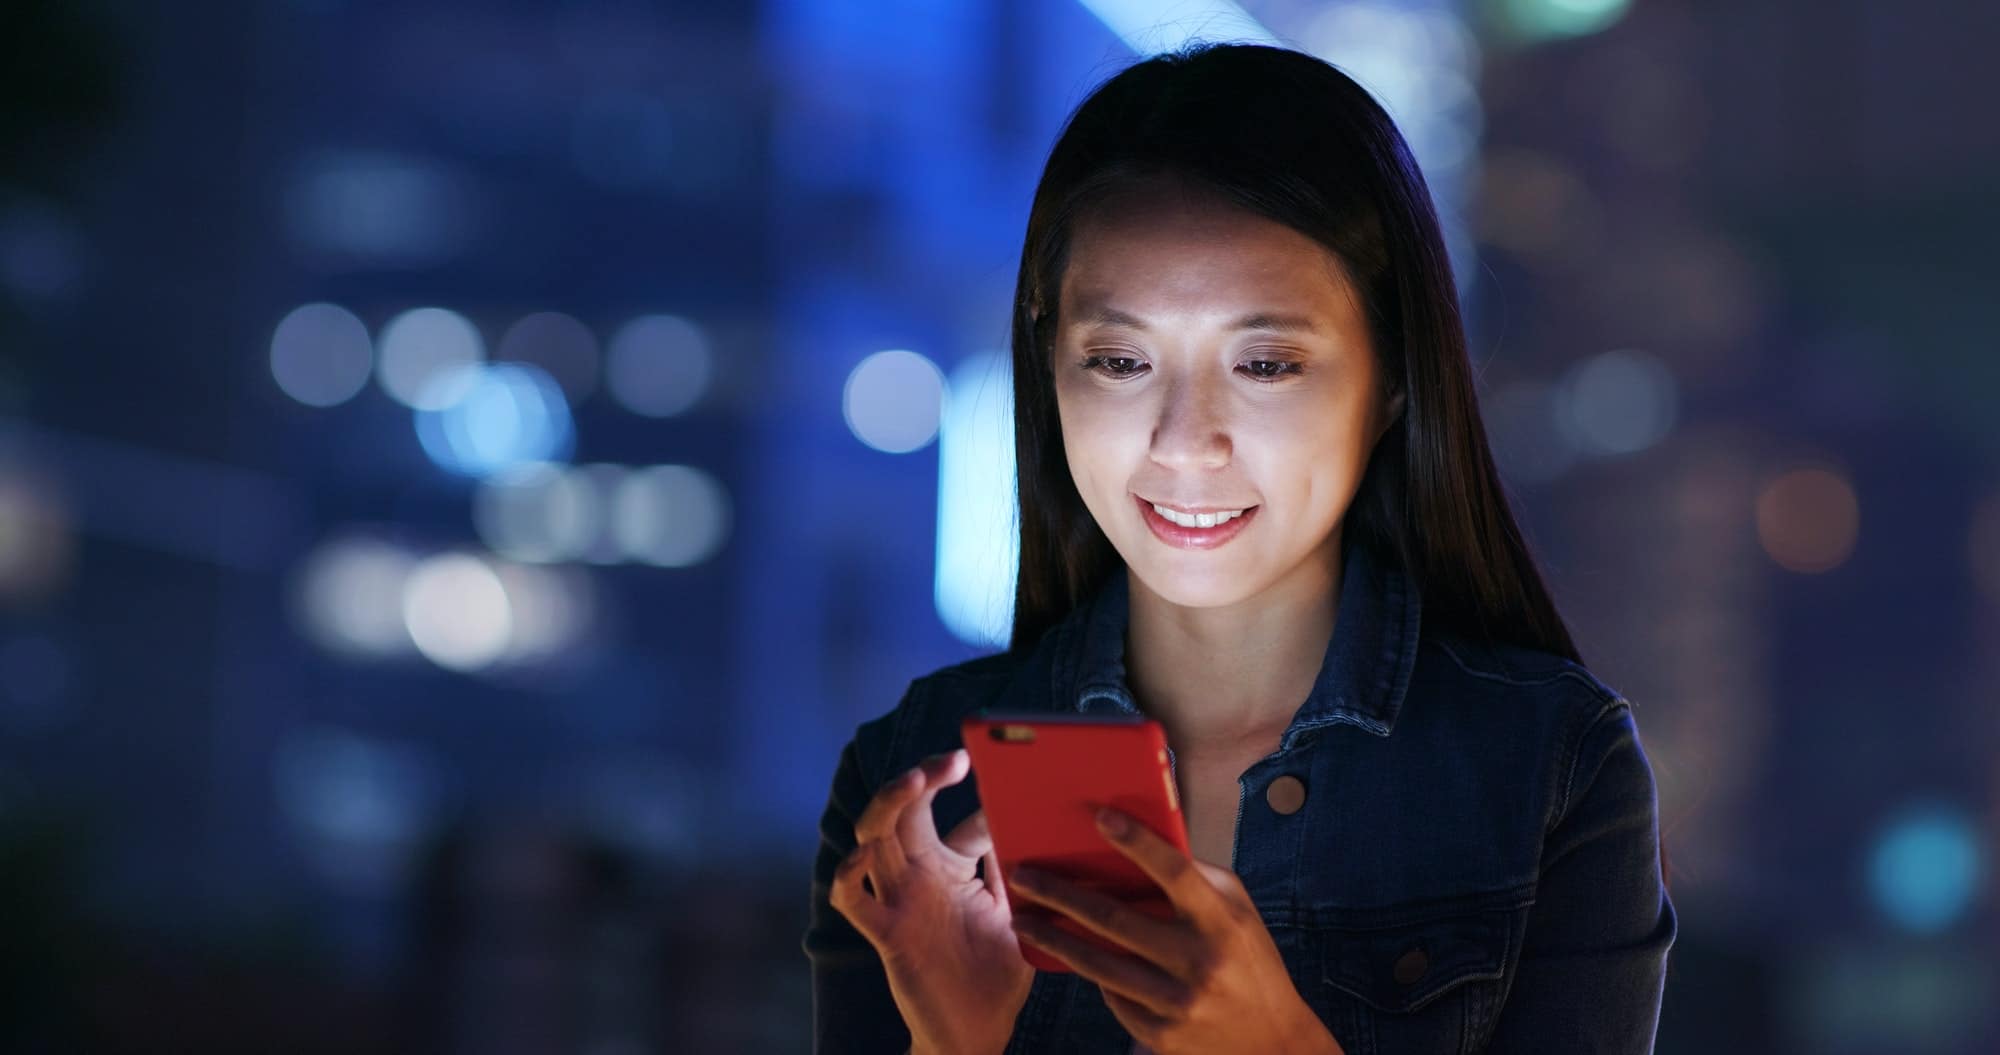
x=491, y=419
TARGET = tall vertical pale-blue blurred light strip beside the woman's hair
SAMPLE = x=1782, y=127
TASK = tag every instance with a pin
x=979, y=542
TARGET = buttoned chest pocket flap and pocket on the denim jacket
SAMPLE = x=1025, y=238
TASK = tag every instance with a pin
x=1417, y=988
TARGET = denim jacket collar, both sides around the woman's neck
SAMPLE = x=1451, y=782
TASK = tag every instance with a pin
x=1363, y=680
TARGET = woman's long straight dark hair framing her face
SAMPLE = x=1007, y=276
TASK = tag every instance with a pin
x=1297, y=141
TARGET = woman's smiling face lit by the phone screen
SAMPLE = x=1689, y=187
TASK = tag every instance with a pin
x=1211, y=361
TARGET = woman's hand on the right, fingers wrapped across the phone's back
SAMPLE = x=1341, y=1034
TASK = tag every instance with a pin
x=1209, y=980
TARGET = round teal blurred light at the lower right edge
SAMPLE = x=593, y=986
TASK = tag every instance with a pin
x=1927, y=868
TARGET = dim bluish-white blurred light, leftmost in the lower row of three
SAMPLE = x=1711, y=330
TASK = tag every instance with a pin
x=349, y=598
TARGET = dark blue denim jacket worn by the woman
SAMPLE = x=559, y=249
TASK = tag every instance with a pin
x=1475, y=868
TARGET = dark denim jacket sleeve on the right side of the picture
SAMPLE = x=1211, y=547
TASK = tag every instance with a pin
x=1593, y=964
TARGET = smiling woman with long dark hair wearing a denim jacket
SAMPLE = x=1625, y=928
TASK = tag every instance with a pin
x=1259, y=509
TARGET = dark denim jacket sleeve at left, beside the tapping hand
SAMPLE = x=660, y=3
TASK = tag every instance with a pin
x=853, y=1010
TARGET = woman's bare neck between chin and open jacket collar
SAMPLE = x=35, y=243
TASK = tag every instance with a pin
x=1231, y=678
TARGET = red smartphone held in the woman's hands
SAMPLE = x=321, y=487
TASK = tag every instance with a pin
x=1043, y=778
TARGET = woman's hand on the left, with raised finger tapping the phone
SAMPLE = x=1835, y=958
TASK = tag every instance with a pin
x=943, y=932
